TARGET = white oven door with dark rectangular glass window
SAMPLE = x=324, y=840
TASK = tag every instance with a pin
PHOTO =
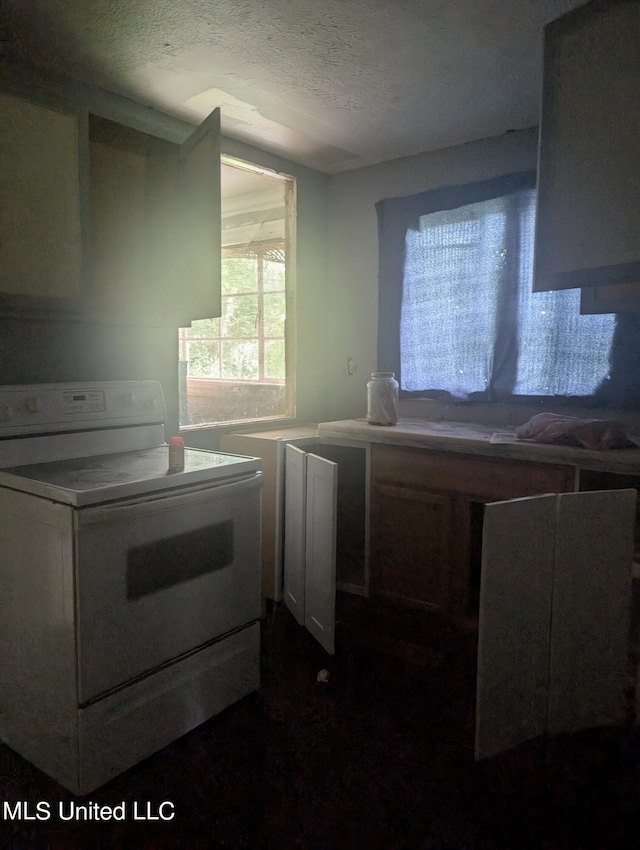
x=158, y=578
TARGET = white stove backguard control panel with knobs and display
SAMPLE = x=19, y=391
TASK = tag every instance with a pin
x=55, y=408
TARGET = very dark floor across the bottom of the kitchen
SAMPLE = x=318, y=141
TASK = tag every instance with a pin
x=379, y=757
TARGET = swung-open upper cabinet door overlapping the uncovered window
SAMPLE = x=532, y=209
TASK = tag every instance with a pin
x=201, y=222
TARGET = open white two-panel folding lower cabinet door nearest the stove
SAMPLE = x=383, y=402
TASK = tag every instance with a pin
x=311, y=484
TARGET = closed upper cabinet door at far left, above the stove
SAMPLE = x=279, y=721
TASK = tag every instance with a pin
x=41, y=229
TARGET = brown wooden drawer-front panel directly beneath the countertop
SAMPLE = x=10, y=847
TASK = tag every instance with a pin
x=481, y=477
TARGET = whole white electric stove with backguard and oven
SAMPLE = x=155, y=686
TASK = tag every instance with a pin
x=130, y=594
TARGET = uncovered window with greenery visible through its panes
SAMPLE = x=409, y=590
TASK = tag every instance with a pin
x=235, y=368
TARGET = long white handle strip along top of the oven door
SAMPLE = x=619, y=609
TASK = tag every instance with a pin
x=154, y=502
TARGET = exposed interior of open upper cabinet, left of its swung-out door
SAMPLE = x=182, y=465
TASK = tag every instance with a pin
x=134, y=226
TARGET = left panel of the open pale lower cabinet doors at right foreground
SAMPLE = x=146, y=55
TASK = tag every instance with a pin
x=515, y=610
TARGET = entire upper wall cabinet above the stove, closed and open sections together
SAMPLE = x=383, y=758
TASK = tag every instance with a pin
x=104, y=222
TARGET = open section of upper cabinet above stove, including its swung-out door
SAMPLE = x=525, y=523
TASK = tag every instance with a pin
x=154, y=224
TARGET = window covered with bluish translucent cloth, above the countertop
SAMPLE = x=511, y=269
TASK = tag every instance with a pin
x=468, y=323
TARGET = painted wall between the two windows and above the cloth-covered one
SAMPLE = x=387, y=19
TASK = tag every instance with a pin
x=352, y=279
